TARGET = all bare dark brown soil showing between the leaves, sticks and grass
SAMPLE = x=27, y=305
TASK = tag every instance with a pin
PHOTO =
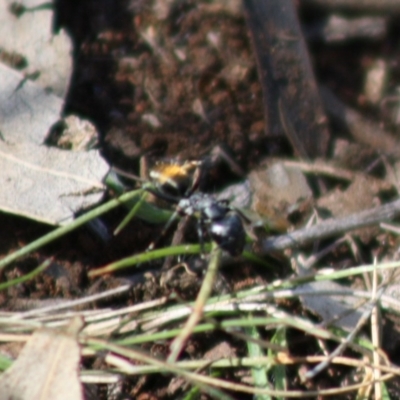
x=171, y=79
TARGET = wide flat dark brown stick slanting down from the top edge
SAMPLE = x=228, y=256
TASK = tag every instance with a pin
x=290, y=95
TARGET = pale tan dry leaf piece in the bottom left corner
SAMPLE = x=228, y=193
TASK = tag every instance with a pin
x=47, y=367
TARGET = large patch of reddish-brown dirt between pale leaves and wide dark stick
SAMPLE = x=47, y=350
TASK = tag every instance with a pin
x=171, y=87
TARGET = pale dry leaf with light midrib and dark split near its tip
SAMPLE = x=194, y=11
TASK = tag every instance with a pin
x=48, y=184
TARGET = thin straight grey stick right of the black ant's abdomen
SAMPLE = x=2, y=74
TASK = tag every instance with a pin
x=333, y=227
